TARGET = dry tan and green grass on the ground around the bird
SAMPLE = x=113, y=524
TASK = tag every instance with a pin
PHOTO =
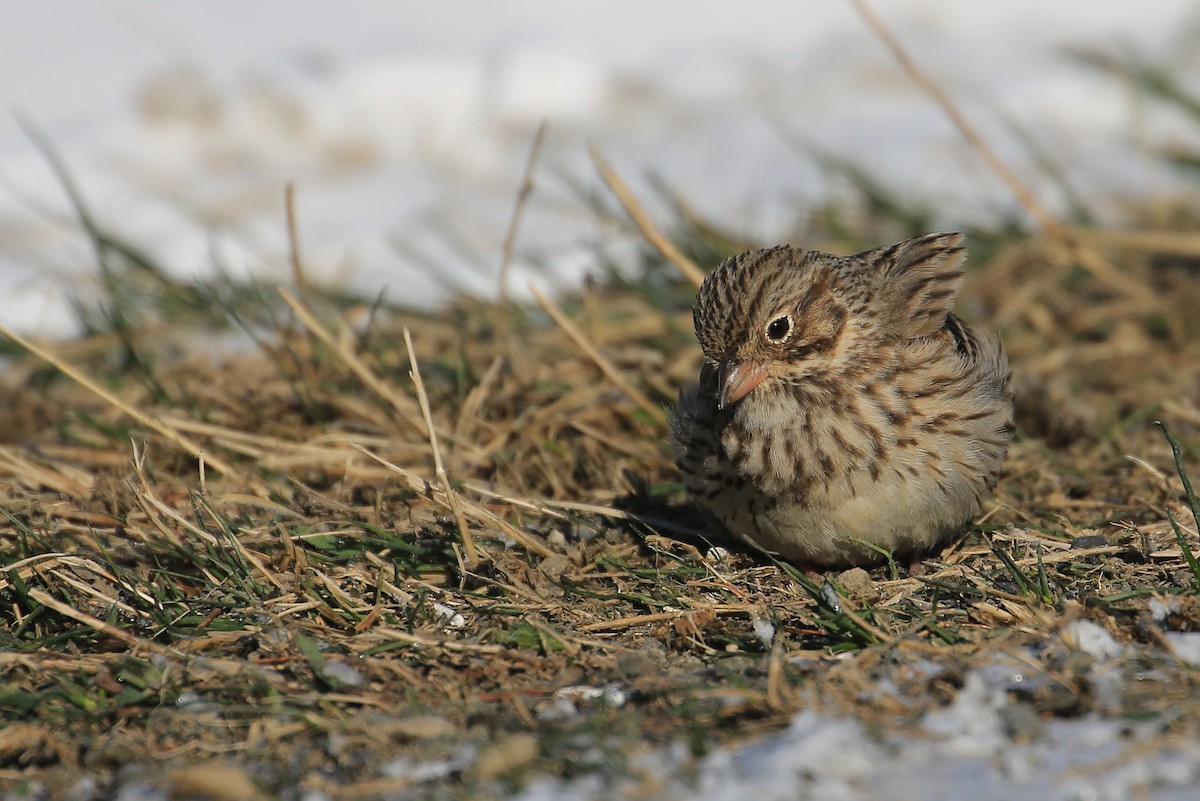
x=457, y=539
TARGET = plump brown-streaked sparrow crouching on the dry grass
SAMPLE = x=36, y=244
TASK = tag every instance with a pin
x=844, y=415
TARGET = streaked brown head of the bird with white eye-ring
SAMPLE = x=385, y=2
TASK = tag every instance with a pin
x=784, y=316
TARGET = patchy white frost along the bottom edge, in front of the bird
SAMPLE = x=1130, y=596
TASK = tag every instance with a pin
x=986, y=746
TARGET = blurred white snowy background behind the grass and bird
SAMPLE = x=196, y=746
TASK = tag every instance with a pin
x=406, y=129
